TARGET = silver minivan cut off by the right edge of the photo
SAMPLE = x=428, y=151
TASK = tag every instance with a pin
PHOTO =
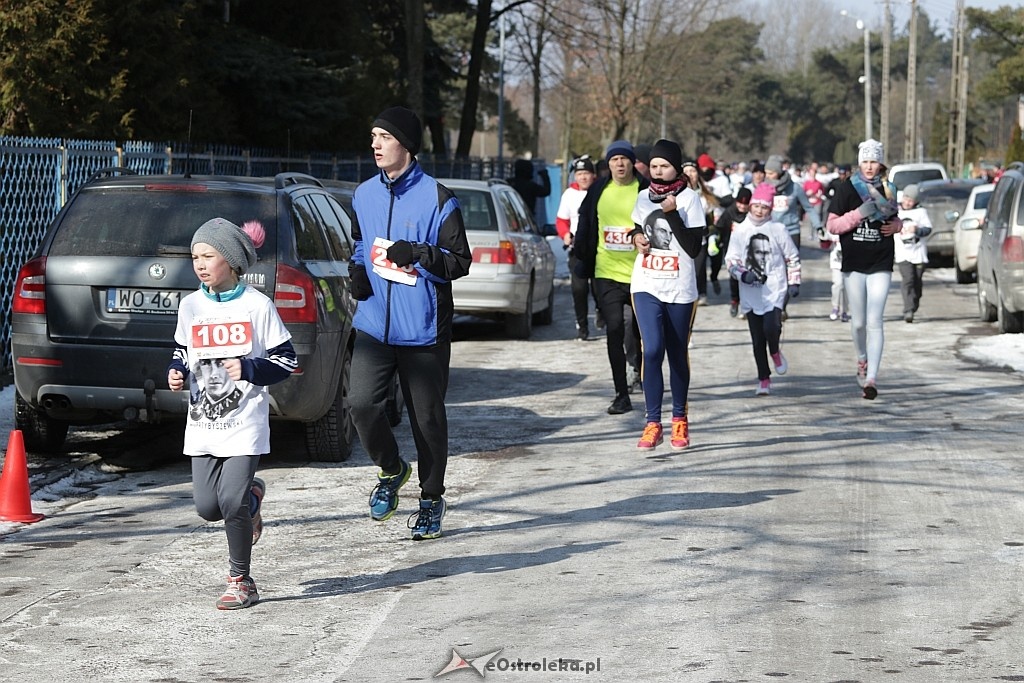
x=1001, y=254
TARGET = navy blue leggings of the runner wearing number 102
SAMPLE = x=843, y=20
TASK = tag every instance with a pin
x=665, y=328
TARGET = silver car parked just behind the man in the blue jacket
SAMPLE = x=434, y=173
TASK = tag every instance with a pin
x=513, y=278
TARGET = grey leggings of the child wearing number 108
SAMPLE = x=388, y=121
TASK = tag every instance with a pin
x=223, y=490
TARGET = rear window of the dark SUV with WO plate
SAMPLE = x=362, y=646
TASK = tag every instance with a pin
x=137, y=223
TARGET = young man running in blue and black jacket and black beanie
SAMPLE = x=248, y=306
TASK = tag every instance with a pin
x=410, y=245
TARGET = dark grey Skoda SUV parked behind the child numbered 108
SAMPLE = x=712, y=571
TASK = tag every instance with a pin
x=95, y=310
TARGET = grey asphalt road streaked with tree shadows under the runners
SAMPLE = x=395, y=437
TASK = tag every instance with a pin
x=808, y=536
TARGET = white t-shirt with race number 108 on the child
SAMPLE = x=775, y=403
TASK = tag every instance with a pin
x=226, y=417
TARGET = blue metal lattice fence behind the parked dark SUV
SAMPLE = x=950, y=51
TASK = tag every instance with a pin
x=39, y=176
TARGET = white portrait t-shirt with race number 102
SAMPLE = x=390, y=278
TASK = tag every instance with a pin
x=667, y=273
